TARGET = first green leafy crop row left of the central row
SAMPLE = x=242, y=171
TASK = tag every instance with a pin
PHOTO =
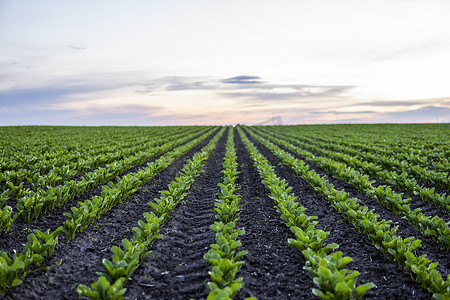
x=110, y=284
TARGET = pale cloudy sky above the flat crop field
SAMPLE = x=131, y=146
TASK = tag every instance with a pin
x=202, y=62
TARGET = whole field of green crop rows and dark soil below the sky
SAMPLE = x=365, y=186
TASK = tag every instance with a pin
x=266, y=212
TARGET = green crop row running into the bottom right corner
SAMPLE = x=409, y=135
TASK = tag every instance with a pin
x=395, y=248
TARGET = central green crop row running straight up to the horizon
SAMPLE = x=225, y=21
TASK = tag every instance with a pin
x=223, y=255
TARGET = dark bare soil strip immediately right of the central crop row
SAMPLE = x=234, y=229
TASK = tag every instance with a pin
x=272, y=269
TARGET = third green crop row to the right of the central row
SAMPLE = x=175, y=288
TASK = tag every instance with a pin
x=431, y=226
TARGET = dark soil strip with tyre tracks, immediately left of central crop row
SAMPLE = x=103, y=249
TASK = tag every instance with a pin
x=175, y=269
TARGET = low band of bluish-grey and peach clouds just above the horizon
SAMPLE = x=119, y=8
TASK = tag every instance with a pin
x=106, y=99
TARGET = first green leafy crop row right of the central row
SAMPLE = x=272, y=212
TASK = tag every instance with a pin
x=328, y=269
